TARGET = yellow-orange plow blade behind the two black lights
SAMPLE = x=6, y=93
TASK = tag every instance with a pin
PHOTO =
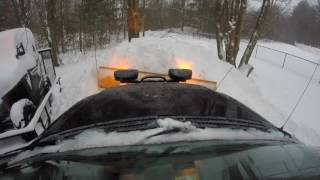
x=106, y=78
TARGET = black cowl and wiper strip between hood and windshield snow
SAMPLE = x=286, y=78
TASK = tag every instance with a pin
x=150, y=122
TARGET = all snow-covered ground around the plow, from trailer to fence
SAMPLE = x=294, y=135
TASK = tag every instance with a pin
x=270, y=90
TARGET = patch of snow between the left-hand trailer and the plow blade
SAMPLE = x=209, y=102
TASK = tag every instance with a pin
x=78, y=80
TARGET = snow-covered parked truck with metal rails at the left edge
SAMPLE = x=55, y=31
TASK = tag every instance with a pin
x=26, y=78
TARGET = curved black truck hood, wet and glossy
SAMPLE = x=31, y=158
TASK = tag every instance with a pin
x=151, y=99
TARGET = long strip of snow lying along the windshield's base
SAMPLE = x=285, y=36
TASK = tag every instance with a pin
x=95, y=138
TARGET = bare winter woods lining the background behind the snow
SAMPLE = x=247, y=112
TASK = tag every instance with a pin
x=82, y=25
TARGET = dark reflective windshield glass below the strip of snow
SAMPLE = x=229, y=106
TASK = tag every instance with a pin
x=198, y=160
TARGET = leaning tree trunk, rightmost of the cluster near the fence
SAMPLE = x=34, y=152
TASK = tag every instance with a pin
x=256, y=33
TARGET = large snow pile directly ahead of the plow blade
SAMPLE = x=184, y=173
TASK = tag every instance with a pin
x=160, y=51
